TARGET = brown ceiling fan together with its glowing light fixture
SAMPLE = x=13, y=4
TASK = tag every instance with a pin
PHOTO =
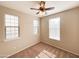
x=42, y=9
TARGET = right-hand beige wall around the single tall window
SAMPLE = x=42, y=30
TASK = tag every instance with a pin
x=69, y=31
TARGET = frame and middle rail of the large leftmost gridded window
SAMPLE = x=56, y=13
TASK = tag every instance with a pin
x=7, y=39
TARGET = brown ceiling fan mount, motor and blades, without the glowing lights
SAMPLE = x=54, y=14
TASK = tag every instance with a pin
x=42, y=8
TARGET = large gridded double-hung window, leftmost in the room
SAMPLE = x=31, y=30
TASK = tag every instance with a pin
x=11, y=26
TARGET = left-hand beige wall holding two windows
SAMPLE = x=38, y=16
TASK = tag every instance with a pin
x=27, y=38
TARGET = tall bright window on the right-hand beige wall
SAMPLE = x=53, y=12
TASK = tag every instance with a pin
x=54, y=28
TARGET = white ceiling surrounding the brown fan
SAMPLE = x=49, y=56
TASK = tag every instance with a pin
x=24, y=6
